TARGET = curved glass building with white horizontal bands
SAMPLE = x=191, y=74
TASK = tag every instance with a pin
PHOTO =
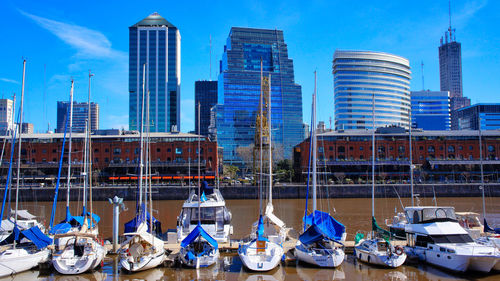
x=360, y=75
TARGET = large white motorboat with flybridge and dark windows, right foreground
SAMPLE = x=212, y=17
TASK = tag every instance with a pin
x=435, y=236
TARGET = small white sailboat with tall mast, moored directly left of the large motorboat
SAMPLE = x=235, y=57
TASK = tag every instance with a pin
x=376, y=248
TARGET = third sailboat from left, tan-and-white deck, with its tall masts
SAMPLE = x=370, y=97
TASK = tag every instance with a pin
x=142, y=249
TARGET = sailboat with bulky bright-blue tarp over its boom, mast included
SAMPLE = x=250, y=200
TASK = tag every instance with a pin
x=321, y=243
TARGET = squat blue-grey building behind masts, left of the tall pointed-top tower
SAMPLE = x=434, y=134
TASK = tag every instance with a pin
x=80, y=116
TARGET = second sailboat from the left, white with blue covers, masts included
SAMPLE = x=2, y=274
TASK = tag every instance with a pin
x=79, y=250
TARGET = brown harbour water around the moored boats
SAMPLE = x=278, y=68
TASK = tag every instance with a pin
x=353, y=213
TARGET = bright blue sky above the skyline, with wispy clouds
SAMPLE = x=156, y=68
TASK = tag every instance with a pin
x=64, y=39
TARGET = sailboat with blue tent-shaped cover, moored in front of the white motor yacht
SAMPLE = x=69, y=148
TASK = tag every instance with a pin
x=199, y=249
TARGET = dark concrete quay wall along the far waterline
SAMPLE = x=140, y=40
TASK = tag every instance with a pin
x=279, y=192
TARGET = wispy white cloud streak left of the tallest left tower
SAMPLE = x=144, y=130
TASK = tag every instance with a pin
x=88, y=43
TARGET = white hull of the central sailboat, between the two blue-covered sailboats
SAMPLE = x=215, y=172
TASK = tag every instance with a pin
x=265, y=261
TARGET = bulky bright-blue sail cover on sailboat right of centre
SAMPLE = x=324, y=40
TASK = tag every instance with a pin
x=325, y=225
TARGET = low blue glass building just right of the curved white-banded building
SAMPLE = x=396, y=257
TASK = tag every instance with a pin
x=430, y=110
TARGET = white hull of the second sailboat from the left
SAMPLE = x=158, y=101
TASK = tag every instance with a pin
x=66, y=262
